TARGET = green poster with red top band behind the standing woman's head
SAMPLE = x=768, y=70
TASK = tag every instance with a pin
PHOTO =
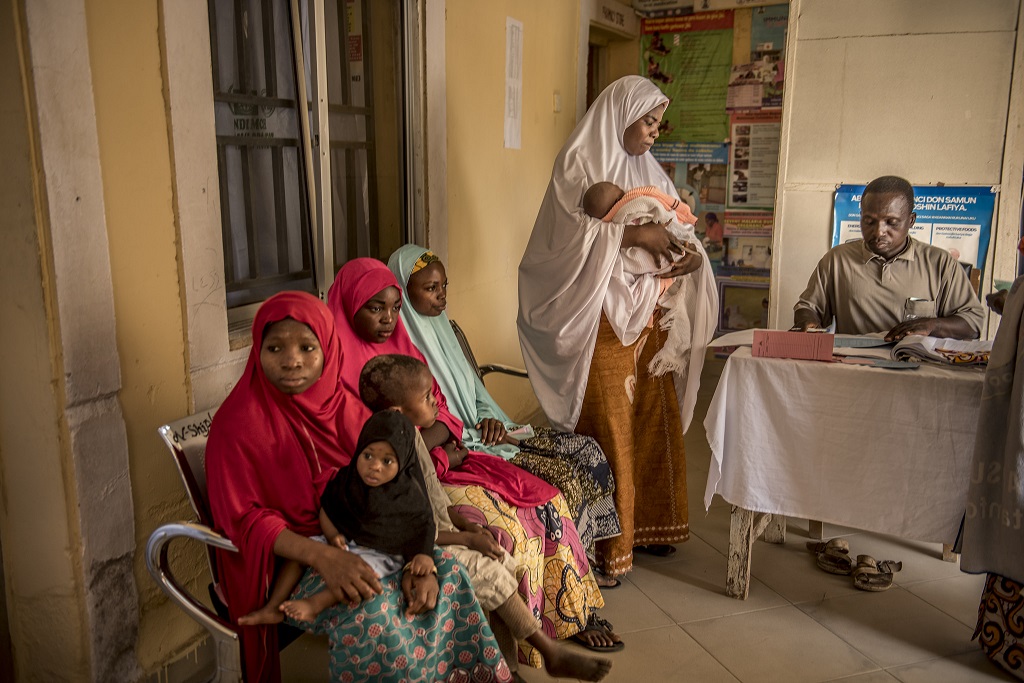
x=691, y=58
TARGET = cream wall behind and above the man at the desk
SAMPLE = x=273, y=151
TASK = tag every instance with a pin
x=917, y=89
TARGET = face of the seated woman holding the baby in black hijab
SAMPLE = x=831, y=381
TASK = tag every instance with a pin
x=291, y=357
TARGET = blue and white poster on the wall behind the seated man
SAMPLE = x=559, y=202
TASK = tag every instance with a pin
x=958, y=220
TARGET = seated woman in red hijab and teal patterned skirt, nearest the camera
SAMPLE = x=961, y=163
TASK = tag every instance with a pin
x=274, y=445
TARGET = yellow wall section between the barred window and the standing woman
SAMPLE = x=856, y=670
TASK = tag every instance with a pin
x=493, y=193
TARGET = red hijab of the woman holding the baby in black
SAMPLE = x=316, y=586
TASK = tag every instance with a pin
x=268, y=459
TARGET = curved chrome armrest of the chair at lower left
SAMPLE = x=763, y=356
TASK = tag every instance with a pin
x=225, y=635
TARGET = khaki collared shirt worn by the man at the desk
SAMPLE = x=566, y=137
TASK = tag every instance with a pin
x=868, y=294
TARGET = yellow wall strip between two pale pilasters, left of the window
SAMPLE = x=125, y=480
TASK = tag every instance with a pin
x=133, y=129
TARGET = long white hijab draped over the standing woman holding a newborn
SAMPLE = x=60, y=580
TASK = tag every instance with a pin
x=571, y=258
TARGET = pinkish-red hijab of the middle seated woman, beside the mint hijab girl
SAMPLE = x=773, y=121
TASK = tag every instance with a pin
x=357, y=283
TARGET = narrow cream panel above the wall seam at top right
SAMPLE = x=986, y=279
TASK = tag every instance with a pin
x=832, y=19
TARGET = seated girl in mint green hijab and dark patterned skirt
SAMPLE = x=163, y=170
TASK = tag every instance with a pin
x=574, y=463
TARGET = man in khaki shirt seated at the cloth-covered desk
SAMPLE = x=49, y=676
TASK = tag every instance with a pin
x=889, y=282
